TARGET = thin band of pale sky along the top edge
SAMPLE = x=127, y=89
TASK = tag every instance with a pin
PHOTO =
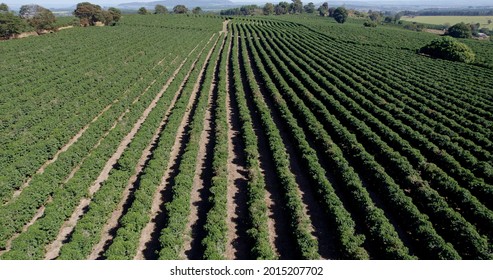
x=68, y=3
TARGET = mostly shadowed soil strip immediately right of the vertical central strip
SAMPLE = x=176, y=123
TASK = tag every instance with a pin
x=278, y=222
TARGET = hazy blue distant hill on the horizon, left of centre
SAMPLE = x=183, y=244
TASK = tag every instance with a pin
x=204, y=4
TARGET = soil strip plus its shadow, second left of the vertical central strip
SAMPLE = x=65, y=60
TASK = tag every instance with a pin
x=149, y=240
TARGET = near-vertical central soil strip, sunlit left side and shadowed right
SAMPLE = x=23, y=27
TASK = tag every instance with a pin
x=237, y=196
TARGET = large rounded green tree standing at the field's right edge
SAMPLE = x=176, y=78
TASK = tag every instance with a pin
x=450, y=49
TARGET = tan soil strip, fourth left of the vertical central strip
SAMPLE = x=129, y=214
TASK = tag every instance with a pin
x=54, y=248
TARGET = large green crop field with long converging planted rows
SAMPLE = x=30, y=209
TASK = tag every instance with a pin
x=174, y=137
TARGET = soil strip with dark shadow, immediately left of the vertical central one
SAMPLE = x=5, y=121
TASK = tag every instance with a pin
x=203, y=175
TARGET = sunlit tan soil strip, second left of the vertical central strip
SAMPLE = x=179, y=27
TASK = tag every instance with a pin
x=159, y=200
